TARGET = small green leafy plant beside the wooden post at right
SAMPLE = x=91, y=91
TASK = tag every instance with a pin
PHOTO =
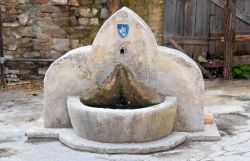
x=241, y=71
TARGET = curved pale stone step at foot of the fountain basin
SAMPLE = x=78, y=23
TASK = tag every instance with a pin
x=70, y=139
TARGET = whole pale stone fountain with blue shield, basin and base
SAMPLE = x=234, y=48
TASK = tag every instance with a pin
x=124, y=93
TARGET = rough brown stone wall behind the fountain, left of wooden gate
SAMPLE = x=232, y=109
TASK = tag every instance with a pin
x=47, y=29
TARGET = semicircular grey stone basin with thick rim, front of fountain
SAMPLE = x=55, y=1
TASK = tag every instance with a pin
x=122, y=126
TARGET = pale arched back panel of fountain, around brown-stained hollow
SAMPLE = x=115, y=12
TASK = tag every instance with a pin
x=163, y=70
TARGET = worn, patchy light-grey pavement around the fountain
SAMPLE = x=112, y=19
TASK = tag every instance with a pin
x=230, y=101
